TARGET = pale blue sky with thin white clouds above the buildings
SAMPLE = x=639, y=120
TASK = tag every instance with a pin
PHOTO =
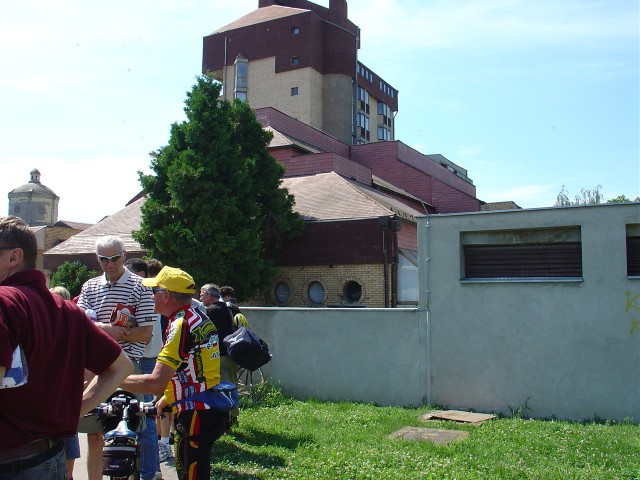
x=526, y=96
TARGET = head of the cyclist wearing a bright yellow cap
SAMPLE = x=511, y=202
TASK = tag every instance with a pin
x=172, y=289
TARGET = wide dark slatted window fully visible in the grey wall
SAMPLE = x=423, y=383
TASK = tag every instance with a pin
x=543, y=254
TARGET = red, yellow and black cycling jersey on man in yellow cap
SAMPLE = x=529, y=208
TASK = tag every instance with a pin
x=192, y=348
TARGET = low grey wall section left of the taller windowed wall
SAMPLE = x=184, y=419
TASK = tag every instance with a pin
x=369, y=355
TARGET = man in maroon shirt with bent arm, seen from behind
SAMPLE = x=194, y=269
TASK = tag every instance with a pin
x=56, y=341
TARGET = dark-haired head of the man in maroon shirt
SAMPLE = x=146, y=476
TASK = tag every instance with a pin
x=18, y=247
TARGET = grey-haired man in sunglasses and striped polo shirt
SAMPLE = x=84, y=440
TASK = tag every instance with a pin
x=102, y=294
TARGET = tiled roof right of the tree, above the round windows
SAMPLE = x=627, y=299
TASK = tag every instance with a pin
x=328, y=196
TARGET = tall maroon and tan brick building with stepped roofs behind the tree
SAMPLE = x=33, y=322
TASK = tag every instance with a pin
x=359, y=189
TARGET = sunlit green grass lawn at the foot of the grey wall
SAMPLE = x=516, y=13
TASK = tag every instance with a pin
x=281, y=438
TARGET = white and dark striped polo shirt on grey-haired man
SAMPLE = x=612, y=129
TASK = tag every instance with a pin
x=101, y=297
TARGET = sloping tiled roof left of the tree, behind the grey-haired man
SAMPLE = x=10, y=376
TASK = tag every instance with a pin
x=121, y=223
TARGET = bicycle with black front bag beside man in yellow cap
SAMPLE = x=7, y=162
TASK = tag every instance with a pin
x=122, y=417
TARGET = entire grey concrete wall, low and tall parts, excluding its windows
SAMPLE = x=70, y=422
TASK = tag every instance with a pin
x=569, y=349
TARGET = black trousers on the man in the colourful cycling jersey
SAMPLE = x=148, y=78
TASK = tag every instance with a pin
x=196, y=430
